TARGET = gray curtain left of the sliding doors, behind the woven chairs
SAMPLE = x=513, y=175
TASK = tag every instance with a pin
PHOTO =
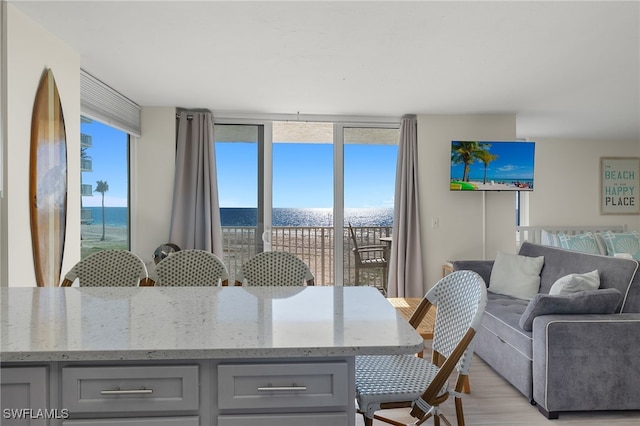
x=195, y=217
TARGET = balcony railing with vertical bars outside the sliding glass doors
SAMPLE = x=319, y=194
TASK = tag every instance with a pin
x=313, y=244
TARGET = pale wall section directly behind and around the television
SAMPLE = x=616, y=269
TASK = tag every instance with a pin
x=460, y=214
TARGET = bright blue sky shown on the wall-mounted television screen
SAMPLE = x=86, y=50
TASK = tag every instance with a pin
x=515, y=161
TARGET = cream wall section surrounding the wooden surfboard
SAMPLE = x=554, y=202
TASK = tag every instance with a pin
x=30, y=50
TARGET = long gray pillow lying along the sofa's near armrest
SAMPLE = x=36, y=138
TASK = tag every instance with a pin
x=604, y=301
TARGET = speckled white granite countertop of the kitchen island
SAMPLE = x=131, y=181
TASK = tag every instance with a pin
x=147, y=323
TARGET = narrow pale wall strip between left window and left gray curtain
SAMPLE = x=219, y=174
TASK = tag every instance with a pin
x=152, y=185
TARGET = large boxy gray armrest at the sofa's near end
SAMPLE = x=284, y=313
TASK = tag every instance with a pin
x=586, y=362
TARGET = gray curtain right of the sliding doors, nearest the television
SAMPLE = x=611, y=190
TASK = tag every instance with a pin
x=405, y=261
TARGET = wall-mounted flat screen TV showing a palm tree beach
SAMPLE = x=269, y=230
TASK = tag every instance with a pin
x=492, y=166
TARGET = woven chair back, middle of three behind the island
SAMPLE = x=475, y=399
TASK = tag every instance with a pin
x=191, y=268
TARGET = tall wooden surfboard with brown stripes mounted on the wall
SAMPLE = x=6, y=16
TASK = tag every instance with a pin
x=48, y=183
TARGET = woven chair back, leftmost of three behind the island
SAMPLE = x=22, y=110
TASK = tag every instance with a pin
x=108, y=268
